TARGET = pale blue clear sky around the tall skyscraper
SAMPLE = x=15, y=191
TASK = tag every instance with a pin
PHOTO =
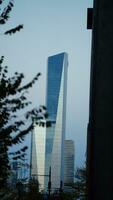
x=51, y=27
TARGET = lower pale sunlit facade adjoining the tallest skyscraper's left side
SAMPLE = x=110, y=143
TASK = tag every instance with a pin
x=38, y=154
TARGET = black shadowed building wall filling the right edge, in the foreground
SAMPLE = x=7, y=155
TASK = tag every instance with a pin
x=100, y=128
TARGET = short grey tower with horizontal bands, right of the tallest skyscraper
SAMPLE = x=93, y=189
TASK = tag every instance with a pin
x=69, y=162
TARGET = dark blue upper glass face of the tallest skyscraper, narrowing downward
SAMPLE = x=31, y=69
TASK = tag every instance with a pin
x=54, y=74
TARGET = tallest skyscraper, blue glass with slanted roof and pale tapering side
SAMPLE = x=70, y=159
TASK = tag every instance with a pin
x=56, y=106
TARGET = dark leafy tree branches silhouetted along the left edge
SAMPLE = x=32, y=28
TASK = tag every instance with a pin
x=13, y=102
